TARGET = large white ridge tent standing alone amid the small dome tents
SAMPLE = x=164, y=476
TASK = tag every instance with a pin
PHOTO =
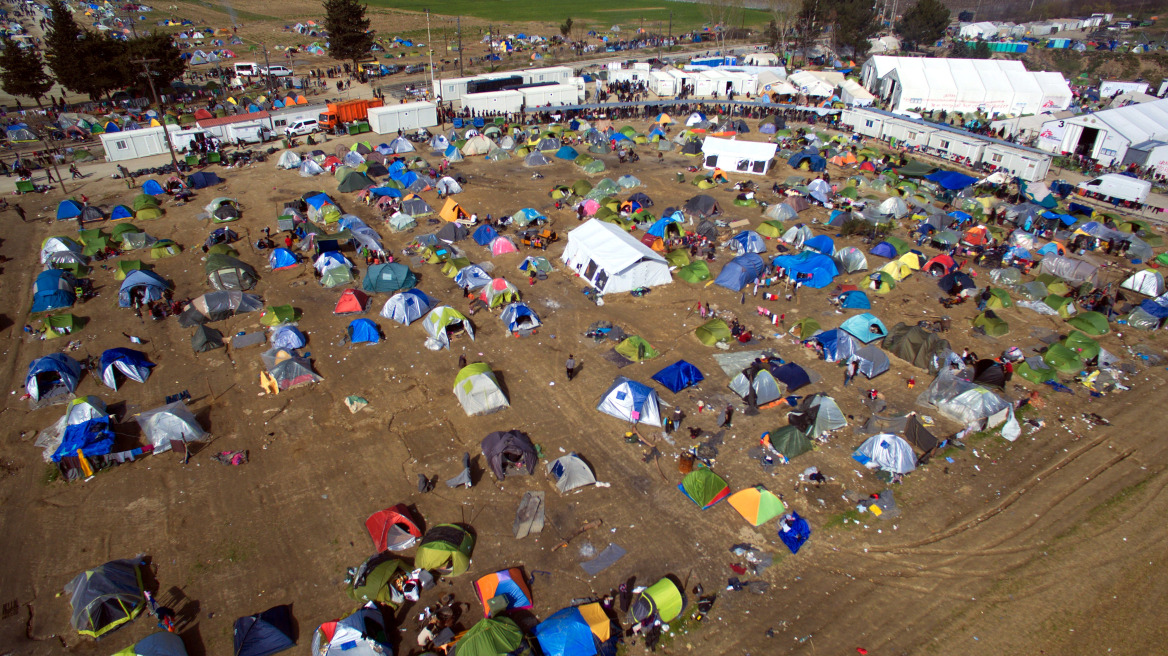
x=614, y=261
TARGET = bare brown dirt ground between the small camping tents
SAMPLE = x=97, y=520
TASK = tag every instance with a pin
x=1051, y=545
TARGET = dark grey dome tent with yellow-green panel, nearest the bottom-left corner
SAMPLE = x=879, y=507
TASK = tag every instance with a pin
x=106, y=597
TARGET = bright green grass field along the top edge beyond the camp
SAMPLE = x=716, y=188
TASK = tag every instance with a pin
x=629, y=15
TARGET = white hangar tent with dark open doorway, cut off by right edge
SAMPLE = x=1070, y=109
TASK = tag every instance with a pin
x=1132, y=135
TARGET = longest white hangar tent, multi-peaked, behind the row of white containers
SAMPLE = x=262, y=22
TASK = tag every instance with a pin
x=997, y=87
